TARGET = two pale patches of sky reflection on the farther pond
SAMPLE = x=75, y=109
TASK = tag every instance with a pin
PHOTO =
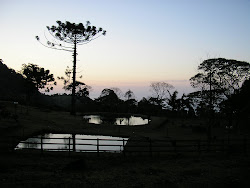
x=96, y=119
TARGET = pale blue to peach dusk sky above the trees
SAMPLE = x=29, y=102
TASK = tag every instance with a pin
x=146, y=41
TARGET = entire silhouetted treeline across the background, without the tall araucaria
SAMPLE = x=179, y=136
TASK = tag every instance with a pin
x=222, y=88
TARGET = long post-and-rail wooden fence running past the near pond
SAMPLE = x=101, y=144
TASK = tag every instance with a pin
x=135, y=145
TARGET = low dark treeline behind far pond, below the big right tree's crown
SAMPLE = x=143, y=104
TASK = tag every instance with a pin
x=190, y=105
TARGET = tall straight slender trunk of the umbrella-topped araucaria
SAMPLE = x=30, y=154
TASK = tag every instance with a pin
x=73, y=99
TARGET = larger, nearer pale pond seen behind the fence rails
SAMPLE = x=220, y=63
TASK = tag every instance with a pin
x=78, y=143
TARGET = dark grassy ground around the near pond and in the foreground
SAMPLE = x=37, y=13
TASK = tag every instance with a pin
x=55, y=169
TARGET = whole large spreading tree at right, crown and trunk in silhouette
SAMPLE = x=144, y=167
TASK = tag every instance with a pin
x=218, y=80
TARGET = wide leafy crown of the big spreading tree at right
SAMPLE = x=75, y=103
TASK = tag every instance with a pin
x=222, y=74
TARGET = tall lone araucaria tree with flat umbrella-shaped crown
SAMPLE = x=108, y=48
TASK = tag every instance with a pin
x=72, y=35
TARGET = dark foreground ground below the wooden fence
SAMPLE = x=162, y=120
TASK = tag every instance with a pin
x=30, y=169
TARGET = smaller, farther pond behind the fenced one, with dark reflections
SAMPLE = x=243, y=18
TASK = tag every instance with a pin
x=129, y=121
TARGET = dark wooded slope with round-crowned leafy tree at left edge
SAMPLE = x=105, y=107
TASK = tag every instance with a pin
x=23, y=86
